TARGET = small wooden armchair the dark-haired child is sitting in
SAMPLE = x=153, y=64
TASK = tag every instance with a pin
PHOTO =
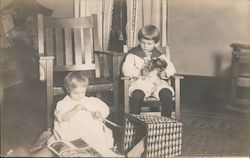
x=174, y=81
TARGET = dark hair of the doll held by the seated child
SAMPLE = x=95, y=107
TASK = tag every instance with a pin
x=158, y=64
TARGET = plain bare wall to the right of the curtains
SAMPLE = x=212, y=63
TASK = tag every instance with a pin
x=201, y=31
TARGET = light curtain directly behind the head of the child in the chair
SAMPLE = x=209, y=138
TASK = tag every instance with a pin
x=143, y=12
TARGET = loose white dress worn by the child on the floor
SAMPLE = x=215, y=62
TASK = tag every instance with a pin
x=82, y=125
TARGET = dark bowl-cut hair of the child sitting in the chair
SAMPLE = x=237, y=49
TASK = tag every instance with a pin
x=149, y=32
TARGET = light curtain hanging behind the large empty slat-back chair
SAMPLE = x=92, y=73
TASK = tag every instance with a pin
x=104, y=11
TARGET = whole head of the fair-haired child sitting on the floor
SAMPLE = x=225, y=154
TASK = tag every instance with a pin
x=76, y=84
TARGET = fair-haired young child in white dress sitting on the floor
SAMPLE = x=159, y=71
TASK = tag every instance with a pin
x=79, y=116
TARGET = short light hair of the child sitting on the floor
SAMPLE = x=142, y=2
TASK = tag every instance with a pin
x=75, y=79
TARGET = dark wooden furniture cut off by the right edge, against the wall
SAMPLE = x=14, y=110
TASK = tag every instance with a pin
x=240, y=81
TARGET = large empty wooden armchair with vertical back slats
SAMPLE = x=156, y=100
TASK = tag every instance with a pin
x=71, y=44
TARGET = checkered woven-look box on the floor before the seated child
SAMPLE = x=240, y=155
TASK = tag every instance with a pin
x=162, y=135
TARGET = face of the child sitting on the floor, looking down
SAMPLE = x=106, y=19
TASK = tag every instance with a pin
x=78, y=93
